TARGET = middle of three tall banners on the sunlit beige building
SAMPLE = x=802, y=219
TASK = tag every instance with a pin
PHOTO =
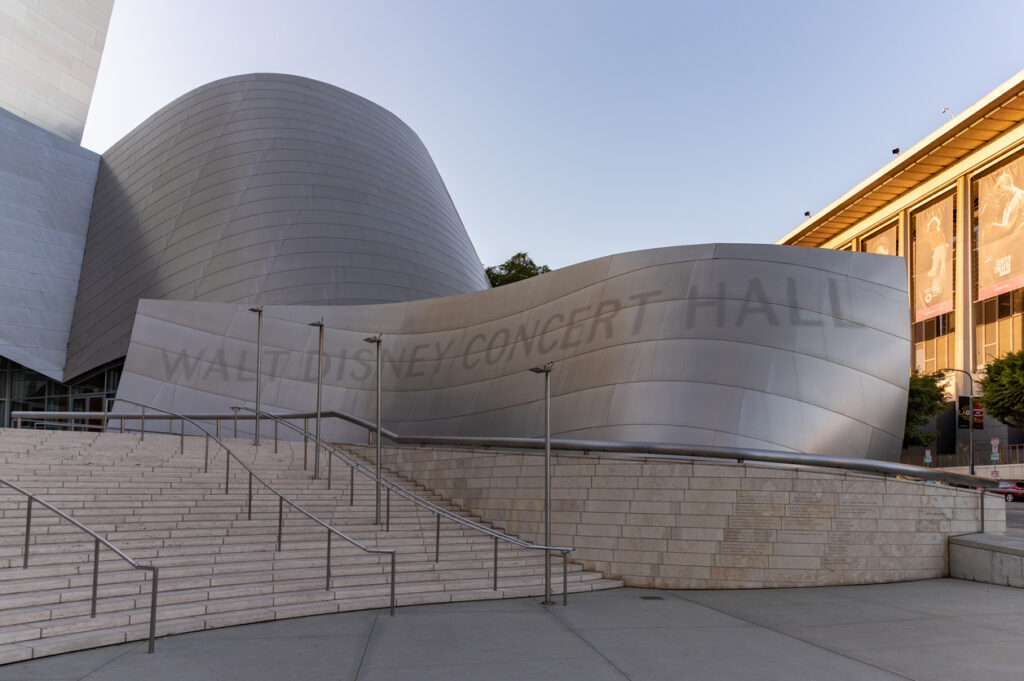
x=933, y=260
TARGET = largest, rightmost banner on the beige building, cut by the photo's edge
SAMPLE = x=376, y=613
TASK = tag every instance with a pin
x=1001, y=231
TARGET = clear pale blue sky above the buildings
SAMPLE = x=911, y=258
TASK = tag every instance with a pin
x=575, y=130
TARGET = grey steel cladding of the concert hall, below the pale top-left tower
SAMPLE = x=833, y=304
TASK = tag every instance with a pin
x=312, y=202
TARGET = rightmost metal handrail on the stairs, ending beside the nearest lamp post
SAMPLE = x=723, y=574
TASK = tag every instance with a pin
x=357, y=466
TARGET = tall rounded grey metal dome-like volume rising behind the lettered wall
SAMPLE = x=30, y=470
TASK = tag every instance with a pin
x=271, y=190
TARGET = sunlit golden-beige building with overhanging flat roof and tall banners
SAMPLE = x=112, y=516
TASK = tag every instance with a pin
x=953, y=206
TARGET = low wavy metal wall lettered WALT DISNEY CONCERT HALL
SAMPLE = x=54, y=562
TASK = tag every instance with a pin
x=737, y=346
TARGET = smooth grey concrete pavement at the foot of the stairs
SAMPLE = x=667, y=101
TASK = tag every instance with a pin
x=935, y=630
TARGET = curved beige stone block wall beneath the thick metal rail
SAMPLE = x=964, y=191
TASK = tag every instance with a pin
x=710, y=526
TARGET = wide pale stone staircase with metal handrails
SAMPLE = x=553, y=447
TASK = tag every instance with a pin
x=218, y=568
